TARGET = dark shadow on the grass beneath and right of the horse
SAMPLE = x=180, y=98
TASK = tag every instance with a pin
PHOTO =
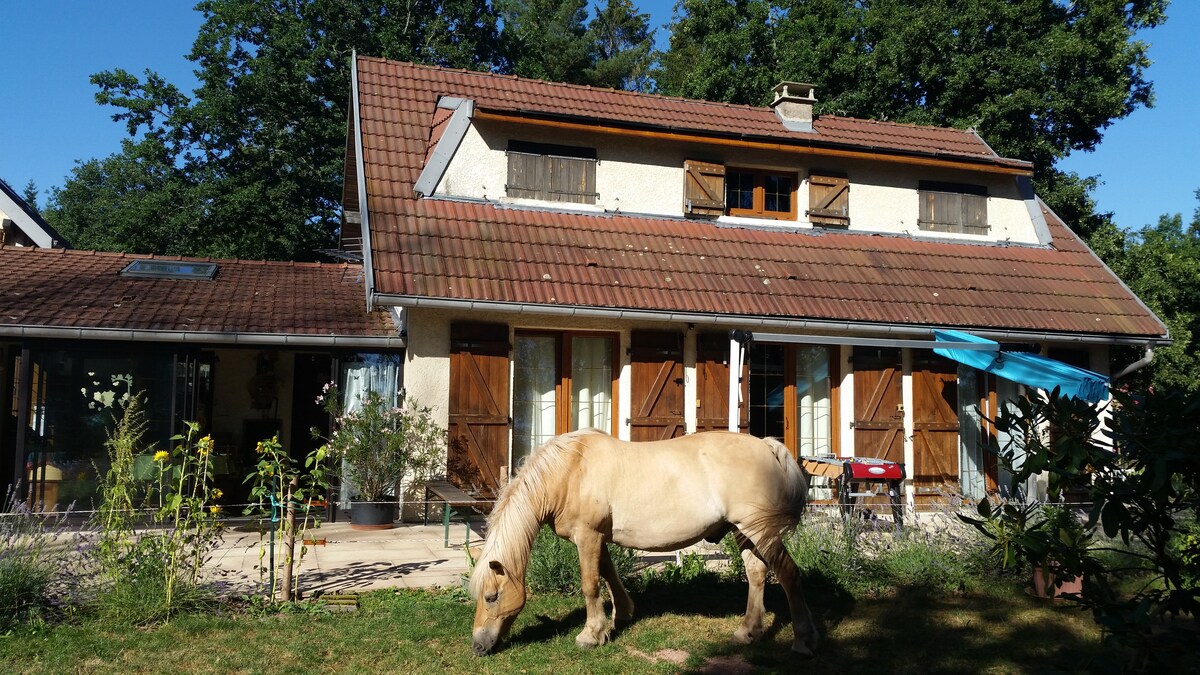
x=908, y=631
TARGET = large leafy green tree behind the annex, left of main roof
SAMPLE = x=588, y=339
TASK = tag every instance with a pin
x=250, y=165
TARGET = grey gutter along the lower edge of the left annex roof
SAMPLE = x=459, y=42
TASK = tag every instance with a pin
x=203, y=338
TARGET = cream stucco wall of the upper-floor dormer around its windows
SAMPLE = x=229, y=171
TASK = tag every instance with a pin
x=647, y=177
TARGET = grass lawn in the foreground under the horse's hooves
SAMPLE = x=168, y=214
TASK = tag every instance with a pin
x=419, y=632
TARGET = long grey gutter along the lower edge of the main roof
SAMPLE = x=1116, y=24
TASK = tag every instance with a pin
x=849, y=327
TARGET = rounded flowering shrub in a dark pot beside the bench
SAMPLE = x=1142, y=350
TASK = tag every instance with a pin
x=375, y=446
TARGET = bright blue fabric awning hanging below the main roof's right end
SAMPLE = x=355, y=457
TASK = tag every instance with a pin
x=1034, y=371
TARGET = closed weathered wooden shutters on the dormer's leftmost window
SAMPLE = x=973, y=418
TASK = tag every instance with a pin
x=551, y=174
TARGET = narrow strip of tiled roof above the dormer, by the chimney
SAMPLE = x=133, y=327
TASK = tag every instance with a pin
x=380, y=79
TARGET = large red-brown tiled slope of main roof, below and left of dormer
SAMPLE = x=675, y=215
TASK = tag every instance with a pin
x=484, y=252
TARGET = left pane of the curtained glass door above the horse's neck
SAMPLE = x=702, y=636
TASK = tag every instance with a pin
x=533, y=393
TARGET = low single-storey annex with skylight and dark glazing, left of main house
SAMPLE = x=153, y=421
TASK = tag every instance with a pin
x=243, y=348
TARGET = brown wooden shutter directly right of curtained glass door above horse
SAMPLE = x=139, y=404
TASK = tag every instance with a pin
x=656, y=386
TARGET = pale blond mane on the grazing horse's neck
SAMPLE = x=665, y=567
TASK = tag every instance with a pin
x=524, y=505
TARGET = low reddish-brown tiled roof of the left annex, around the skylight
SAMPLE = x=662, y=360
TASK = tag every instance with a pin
x=63, y=289
